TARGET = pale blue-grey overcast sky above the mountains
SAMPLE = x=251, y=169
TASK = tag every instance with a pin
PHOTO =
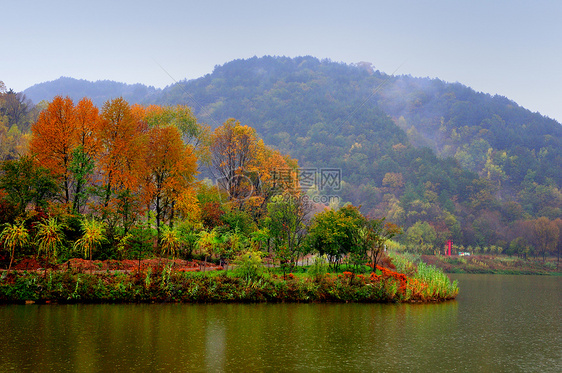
x=511, y=48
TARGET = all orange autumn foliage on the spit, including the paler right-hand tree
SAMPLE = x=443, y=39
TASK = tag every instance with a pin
x=124, y=160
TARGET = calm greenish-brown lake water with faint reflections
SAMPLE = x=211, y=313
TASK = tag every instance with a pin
x=497, y=324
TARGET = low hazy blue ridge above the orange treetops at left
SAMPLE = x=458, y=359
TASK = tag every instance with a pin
x=99, y=92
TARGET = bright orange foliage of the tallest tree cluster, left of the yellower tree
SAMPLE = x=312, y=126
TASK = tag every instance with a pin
x=118, y=162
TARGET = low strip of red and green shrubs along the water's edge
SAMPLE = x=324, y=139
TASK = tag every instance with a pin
x=167, y=285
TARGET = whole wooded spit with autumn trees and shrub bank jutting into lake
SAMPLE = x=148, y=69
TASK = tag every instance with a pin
x=119, y=188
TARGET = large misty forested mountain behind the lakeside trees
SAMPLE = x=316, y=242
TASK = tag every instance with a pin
x=438, y=159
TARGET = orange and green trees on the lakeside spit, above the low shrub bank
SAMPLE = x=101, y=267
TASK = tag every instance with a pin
x=120, y=183
